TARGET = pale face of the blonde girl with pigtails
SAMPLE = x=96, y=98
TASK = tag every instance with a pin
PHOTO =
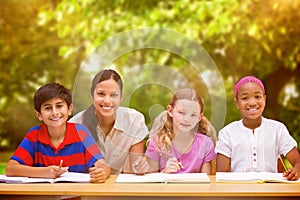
x=186, y=114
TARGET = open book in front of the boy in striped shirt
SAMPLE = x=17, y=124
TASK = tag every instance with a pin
x=66, y=177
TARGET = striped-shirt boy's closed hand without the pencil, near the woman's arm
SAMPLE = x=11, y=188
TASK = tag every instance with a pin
x=100, y=172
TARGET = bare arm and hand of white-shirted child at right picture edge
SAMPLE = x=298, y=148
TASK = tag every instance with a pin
x=294, y=158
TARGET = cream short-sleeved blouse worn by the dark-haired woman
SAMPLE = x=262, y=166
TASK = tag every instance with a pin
x=129, y=129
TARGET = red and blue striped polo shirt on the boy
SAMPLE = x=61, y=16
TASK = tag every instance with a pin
x=78, y=151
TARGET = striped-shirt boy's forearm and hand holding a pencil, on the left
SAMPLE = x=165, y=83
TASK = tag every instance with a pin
x=14, y=168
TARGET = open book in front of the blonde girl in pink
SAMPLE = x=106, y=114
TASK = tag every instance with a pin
x=163, y=178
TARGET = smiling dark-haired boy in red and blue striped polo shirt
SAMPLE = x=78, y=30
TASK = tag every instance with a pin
x=56, y=146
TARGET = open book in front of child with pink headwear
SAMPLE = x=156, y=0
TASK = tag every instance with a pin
x=251, y=177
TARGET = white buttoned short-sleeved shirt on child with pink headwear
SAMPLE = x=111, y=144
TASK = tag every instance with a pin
x=258, y=151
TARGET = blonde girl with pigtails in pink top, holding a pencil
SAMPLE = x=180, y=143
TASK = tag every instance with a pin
x=178, y=147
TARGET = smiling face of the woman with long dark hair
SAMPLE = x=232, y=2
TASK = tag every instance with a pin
x=107, y=98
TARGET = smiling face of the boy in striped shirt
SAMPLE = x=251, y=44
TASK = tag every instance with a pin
x=54, y=112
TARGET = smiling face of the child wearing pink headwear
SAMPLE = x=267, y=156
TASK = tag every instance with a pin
x=250, y=101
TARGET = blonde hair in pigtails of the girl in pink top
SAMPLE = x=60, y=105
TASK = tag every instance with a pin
x=162, y=127
